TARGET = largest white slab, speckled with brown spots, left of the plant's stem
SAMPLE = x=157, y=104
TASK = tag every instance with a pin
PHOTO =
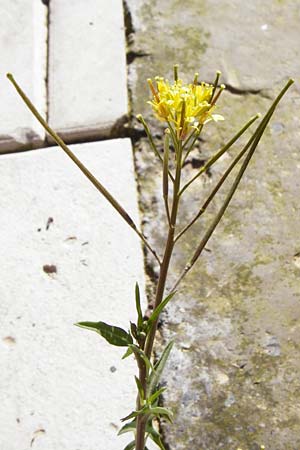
x=63, y=387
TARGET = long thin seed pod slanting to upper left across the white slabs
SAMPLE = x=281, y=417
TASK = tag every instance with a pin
x=83, y=169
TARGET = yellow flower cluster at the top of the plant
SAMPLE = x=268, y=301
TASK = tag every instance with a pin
x=186, y=106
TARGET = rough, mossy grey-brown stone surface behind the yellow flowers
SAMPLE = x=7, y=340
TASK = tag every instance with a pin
x=233, y=376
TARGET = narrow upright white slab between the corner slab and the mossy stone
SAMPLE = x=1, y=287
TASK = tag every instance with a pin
x=87, y=67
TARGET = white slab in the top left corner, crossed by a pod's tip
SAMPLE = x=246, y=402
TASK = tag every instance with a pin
x=23, y=48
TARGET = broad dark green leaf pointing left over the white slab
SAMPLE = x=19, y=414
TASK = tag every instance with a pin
x=114, y=335
